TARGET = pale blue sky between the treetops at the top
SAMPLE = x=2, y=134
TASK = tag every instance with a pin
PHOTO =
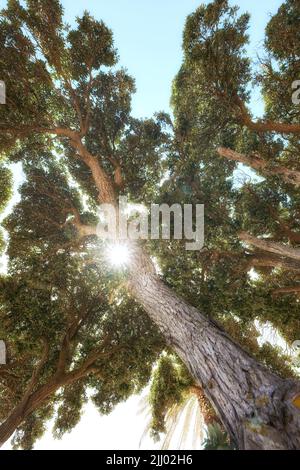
x=148, y=36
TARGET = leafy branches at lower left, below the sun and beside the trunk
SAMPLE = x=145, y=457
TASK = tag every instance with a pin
x=66, y=339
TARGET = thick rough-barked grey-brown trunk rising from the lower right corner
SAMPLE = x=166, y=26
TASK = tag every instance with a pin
x=257, y=407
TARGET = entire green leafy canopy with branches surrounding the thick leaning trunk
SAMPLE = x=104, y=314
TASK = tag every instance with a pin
x=72, y=328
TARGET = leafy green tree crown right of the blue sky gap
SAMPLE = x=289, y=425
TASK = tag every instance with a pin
x=263, y=213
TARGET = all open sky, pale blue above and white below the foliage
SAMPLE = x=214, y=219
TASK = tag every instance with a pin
x=148, y=37
